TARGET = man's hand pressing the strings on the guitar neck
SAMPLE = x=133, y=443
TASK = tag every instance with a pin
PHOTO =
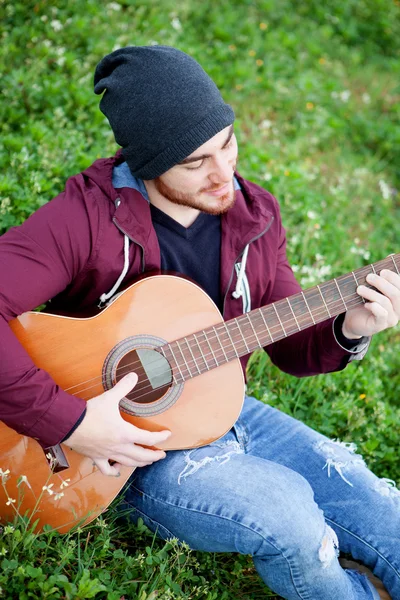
x=382, y=309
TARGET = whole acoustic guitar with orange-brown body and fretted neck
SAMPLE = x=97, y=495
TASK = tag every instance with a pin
x=168, y=331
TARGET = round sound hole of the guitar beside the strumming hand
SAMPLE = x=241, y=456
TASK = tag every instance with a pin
x=153, y=371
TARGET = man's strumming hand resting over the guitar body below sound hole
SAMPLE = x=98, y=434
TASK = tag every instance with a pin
x=103, y=434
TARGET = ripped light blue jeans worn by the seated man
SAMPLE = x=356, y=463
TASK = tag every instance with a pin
x=288, y=496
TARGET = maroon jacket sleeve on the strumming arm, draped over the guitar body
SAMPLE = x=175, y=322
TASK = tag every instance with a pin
x=38, y=260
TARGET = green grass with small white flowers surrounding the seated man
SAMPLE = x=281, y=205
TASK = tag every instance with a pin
x=315, y=90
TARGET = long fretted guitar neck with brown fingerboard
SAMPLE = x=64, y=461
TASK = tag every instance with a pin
x=209, y=348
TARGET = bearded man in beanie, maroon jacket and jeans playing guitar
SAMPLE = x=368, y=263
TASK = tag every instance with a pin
x=172, y=199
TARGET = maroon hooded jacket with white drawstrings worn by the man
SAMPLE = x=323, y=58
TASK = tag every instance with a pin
x=72, y=251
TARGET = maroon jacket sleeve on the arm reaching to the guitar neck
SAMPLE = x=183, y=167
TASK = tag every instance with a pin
x=314, y=350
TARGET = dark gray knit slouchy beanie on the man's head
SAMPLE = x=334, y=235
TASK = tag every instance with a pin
x=161, y=106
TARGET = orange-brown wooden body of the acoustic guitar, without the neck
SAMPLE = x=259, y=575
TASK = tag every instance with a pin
x=85, y=356
